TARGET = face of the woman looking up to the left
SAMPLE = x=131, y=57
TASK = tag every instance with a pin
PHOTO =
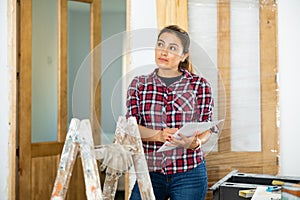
x=169, y=52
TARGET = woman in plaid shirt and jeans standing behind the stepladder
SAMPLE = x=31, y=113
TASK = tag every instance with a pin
x=163, y=102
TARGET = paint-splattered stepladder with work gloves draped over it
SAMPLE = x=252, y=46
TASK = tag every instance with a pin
x=116, y=159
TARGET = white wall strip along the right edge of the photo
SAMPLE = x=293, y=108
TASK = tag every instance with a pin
x=289, y=71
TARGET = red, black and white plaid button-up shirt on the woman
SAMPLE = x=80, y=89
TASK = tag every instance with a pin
x=157, y=106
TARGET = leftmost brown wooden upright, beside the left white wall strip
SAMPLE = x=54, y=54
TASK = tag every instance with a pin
x=24, y=108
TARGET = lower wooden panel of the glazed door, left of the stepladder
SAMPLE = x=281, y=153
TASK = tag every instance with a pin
x=44, y=171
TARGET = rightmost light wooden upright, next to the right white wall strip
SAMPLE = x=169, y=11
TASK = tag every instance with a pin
x=269, y=87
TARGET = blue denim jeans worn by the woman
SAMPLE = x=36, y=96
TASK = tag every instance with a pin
x=190, y=185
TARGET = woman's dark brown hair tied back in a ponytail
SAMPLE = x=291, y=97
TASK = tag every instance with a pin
x=185, y=41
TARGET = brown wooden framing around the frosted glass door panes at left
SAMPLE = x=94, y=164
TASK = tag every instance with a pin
x=28, y=150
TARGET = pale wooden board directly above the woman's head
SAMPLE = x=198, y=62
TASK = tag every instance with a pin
x=172, y=12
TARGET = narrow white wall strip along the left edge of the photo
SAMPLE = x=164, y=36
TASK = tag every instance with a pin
x=4, y=102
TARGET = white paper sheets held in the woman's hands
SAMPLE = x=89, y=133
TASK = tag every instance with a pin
x=188, y=130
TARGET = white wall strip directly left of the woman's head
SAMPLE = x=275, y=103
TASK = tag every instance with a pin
x=143, y=24
